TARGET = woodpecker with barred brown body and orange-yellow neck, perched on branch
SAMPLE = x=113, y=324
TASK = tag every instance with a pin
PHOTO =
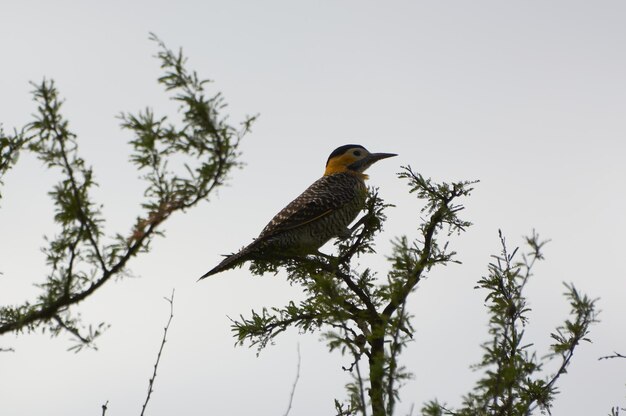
x=323, y=211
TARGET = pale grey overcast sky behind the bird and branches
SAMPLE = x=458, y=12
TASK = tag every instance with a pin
x=529, y=97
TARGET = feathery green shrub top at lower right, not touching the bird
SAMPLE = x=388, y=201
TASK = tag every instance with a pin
x=513, y=382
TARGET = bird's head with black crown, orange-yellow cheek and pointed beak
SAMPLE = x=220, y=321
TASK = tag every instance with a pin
x=352, y=158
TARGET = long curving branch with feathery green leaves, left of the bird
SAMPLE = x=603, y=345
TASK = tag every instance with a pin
x=81, y=258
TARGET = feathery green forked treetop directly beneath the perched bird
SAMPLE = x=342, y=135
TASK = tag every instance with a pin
x=359, y=314
